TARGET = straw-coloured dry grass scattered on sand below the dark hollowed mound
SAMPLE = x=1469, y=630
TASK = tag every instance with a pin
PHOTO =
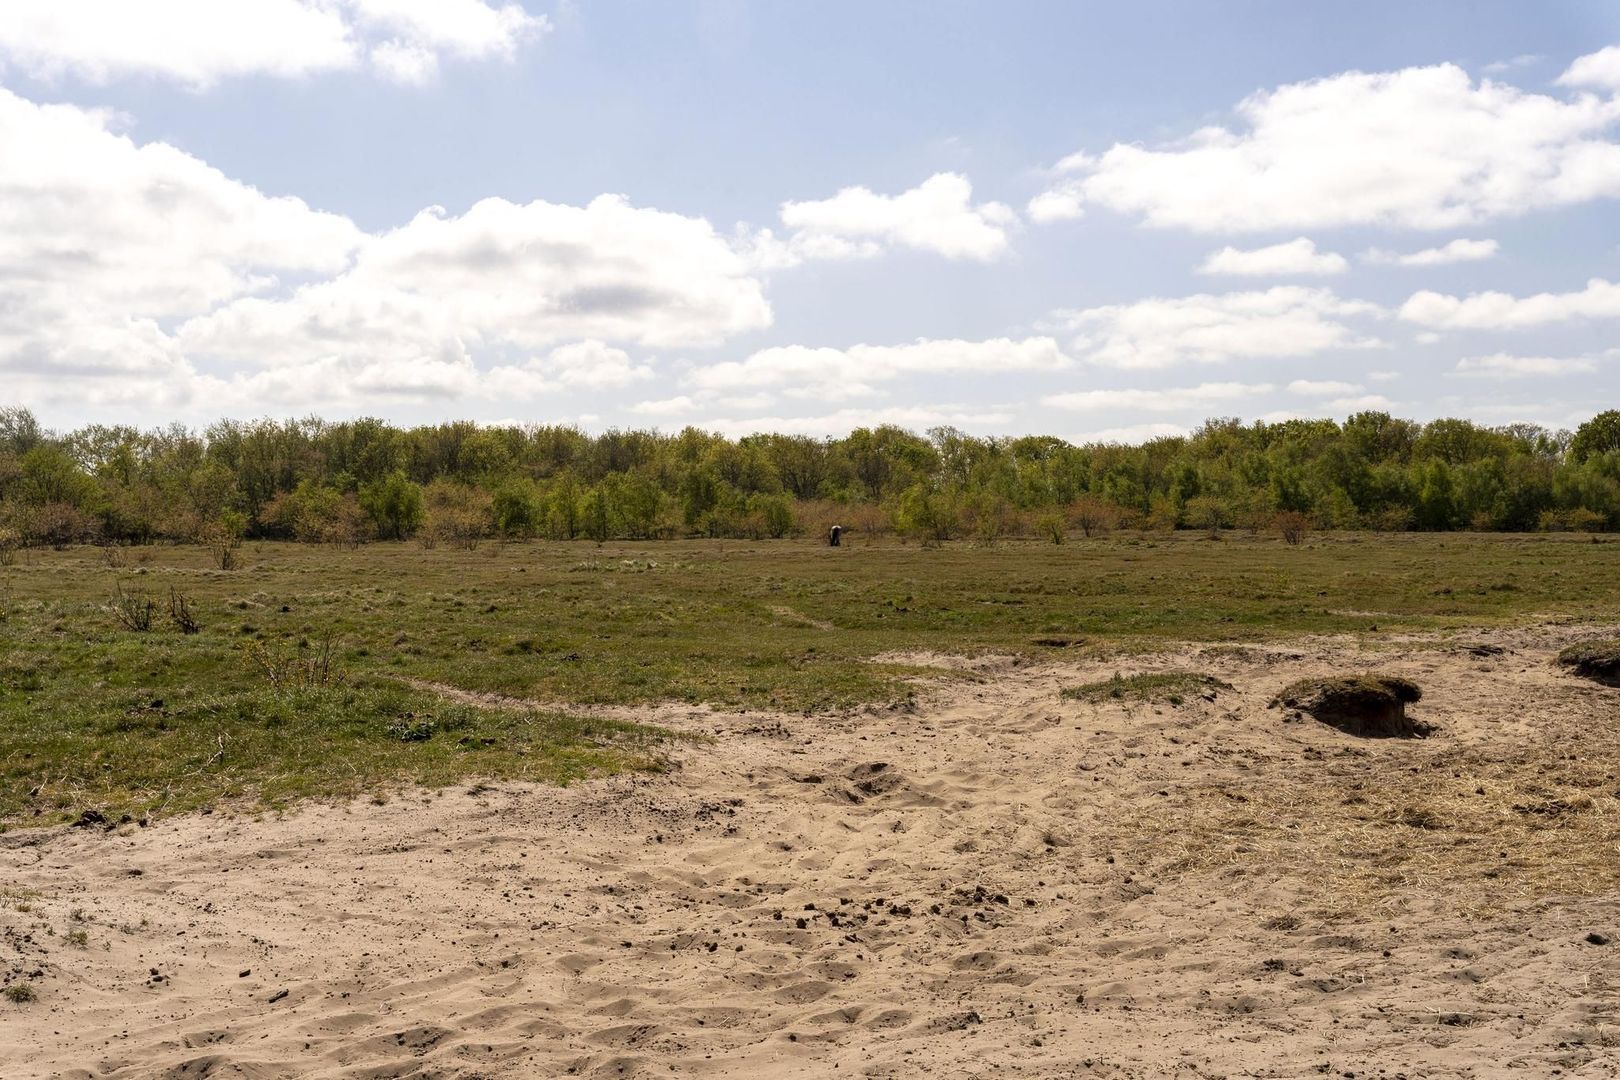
x=1481, y=830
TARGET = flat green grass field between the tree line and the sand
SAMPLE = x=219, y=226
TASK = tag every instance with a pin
x=305, y=674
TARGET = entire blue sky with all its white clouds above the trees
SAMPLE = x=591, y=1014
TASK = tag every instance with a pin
x=1094, y=221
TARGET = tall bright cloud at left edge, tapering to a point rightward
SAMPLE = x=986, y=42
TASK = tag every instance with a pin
x=104, y=242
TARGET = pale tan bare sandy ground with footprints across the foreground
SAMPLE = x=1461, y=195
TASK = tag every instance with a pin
x=992, y=885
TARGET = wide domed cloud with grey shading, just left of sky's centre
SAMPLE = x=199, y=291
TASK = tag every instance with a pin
x=505, y=276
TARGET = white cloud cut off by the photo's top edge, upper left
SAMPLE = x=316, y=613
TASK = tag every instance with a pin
x=198, y=43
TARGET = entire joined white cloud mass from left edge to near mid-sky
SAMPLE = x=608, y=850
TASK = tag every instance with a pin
x=137, y=273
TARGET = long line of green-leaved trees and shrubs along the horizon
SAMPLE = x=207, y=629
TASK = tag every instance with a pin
x=459, y=483
